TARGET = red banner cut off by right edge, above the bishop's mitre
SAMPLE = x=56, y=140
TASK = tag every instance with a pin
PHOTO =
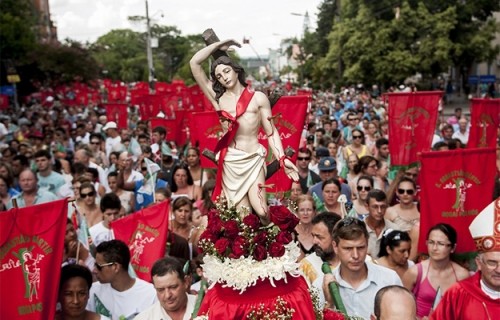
x=485, y=119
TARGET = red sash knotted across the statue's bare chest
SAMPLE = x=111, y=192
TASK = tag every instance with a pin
x=223, y=144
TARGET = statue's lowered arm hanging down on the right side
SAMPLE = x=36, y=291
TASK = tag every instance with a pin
x=273, y=136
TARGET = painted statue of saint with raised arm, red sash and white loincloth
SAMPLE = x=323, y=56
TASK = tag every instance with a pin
x=241, y=172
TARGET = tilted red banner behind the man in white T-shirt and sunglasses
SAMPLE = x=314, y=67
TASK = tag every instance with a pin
x=145, y=233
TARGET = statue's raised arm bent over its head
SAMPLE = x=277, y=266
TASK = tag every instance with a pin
x=199, y=74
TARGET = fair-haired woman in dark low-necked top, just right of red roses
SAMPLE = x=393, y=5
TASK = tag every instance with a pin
x=306, y=212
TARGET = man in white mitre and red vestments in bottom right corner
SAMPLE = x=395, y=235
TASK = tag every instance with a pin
x=478, y=297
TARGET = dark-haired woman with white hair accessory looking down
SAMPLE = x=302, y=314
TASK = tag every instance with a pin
x=394, y=251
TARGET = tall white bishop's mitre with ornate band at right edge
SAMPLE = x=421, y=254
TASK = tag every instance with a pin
x=485, y=228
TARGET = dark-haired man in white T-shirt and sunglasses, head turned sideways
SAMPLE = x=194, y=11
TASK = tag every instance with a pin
x=117, y=295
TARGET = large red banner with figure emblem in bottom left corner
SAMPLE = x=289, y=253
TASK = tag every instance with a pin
x=31, y=252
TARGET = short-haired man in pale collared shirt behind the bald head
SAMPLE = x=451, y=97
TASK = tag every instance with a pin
x=358, y=280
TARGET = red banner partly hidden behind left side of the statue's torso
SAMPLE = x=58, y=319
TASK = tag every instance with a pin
x=205, y=131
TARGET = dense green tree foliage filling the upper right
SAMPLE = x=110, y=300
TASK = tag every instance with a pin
x=368, y=43
